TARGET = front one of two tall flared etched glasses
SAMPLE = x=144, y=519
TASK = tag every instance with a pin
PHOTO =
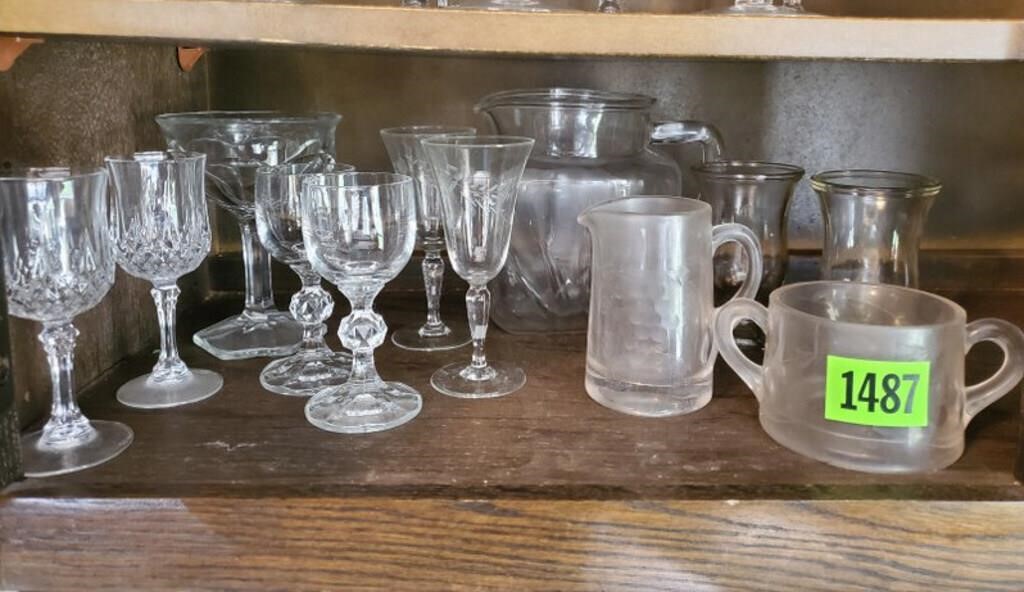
x=479, y=180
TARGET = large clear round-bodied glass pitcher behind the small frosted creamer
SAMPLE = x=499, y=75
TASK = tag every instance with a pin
x=591, y=147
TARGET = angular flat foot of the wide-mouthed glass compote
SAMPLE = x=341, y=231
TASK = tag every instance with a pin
x=271, y=334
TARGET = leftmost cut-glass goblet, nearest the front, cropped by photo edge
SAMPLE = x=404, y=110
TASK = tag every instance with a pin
x=58, y=264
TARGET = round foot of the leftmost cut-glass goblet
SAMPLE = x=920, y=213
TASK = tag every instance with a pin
x=111, y=439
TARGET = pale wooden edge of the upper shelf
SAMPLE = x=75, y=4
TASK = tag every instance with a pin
x=966, y=36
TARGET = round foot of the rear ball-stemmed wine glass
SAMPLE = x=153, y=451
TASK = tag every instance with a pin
x=307, y=373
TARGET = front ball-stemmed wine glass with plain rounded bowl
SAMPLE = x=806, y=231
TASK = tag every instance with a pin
x=360, y=231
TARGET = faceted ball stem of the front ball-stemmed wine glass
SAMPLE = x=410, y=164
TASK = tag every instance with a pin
x=362, y=332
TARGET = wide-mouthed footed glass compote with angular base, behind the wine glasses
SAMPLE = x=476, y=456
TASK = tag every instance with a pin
x=237, y=144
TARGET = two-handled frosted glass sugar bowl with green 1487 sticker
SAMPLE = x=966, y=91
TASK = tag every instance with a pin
x=869, y=377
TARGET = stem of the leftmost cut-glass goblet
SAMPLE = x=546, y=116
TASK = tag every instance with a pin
x=67, y=427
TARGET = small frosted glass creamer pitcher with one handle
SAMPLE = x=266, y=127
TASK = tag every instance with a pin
x=650, y=346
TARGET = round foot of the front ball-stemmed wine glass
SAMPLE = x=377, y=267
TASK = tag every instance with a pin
x=364, y=408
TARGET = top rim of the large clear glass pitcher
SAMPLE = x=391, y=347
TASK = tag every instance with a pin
x=567, y=98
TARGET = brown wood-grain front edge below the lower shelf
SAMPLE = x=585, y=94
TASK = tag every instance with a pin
x=390, y=544
